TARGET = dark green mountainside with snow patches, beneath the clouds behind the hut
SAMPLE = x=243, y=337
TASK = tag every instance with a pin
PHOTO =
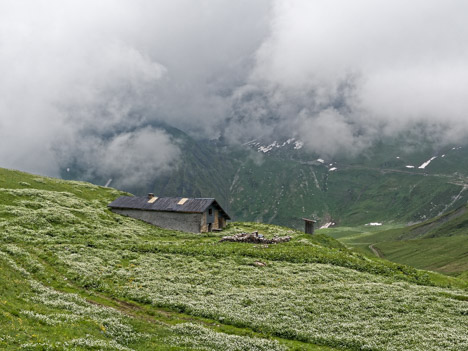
x=280, y=182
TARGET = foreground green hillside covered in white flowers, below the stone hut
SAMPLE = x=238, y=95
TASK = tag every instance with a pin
x=75, y=275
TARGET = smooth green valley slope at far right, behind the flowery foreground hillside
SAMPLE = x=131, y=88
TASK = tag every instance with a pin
x=439, y=244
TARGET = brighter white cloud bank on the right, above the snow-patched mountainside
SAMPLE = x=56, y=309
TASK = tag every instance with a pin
x=341, y=75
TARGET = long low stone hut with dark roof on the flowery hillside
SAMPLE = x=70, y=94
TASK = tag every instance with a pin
x=194, y=215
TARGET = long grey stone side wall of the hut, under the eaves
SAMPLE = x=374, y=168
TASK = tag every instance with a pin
x=186, y=222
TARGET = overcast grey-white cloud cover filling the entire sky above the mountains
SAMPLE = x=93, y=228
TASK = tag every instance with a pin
x=90, y=81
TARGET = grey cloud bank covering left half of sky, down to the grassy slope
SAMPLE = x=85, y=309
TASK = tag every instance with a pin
x=86, y=85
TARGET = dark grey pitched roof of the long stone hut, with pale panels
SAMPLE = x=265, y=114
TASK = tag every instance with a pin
x=168, y=204
